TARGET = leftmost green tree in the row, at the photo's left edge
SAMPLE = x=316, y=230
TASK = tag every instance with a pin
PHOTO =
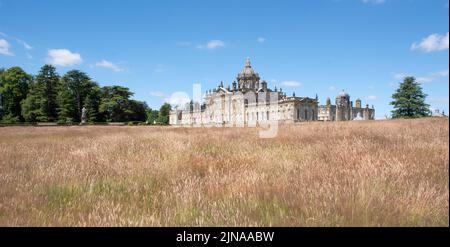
x=13, y=89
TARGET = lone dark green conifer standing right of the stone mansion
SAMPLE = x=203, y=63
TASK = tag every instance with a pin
x=409, y=100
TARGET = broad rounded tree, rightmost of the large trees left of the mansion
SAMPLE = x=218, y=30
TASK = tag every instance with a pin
x=115, y=103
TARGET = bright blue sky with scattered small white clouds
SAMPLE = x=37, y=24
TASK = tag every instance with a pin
x=157, y=48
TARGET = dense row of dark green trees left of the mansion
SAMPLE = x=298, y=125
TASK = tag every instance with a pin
x=48, y=97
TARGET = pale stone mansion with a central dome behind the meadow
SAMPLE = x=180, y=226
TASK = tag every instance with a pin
x=249, y=102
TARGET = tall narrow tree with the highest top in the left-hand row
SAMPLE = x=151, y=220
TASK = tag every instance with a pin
x=48, y=81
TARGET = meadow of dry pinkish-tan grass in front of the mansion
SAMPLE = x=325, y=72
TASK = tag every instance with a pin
x=369, y=173
